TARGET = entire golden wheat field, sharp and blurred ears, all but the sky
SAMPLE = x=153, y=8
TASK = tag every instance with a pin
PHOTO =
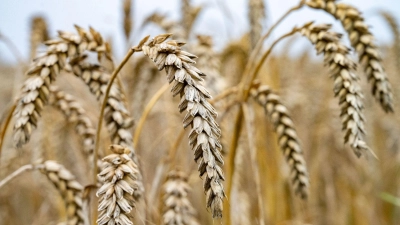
x=144, y=174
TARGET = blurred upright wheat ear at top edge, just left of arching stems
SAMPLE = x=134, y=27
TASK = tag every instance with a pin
x=256, y=16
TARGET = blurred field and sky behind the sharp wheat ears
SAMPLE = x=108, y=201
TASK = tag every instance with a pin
x=344, y=189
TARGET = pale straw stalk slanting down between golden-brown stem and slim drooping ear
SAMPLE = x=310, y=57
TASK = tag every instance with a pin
x=250, y=124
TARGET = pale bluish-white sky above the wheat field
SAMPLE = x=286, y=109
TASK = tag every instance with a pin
x=106, y=16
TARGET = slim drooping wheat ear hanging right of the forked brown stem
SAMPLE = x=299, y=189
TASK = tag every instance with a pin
x=287, y=136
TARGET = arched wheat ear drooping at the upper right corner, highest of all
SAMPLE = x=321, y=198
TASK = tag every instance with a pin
x=362, y=41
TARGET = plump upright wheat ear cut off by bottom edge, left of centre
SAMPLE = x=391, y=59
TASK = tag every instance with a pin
x=119, y=183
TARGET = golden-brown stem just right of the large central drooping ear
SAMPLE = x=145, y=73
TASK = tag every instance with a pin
x=230, y=170
